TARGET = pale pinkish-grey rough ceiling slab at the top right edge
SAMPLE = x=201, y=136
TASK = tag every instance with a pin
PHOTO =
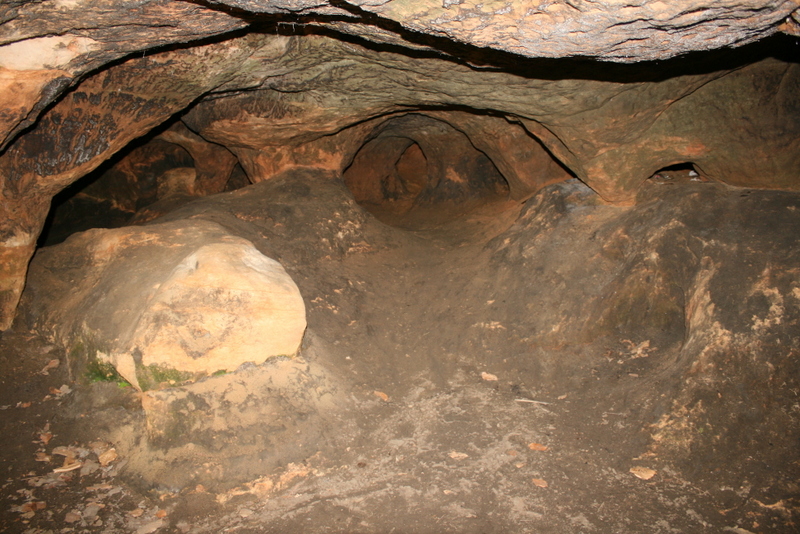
x=612, y=30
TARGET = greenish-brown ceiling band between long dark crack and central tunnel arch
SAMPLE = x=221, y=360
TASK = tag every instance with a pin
x=612, y=127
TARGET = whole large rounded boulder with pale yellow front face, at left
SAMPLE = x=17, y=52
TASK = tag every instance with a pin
x=166, y=302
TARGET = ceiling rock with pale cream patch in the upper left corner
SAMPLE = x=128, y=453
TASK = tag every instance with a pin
x=60, y=42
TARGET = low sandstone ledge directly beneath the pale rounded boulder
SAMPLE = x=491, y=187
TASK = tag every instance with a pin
x=256, y=401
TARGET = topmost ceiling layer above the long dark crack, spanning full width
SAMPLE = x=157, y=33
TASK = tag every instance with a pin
x=47, y=46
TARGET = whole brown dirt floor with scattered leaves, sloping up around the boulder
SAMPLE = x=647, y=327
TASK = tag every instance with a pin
x=571, y=367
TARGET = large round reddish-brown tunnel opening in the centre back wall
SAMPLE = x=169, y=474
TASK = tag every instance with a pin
x=419, y=173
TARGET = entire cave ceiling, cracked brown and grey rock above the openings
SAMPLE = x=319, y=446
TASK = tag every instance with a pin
x=607, y=91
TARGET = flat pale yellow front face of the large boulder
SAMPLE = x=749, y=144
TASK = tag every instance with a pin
x=224, y=305
